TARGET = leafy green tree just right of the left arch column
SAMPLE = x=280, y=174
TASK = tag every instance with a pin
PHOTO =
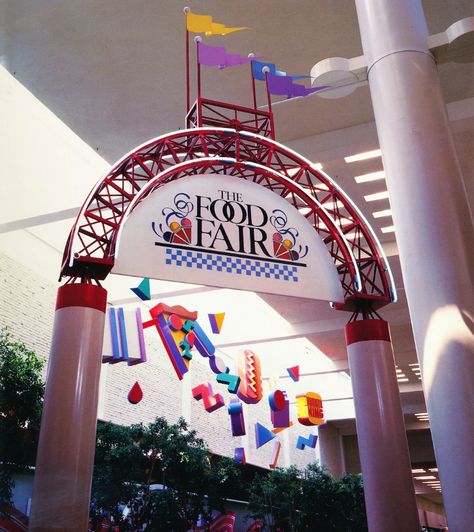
x=162, y=471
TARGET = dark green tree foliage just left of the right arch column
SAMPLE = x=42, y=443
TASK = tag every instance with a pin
x=293, y=500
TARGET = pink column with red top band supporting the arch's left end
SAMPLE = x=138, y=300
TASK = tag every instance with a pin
x=62, y=483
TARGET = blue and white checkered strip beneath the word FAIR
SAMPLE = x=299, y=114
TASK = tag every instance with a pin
x=220, y=263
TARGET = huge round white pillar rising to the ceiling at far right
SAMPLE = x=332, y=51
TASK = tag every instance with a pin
x=433, y=227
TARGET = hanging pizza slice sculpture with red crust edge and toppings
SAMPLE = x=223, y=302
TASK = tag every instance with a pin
x=169, y=322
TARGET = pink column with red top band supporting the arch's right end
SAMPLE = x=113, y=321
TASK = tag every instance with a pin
x=388, y=484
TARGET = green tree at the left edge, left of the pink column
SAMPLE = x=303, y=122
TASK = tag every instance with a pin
x=21, y=401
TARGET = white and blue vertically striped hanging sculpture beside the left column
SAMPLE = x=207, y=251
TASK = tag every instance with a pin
x=123, y=337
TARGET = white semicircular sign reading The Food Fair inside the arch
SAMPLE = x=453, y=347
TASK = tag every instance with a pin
x=223, y=231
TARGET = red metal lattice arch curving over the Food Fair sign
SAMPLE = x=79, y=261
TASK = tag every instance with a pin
x=363, y=270
